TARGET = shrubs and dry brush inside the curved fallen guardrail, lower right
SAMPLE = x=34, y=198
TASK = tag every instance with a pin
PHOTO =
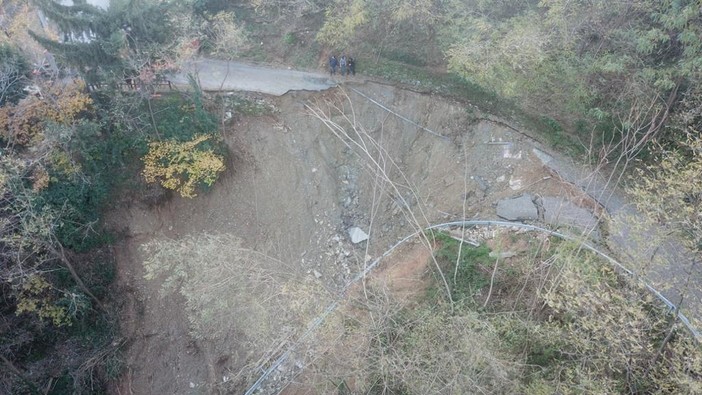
x=552, y=318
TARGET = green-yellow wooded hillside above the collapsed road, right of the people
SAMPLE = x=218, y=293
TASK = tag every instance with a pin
x=606, y=71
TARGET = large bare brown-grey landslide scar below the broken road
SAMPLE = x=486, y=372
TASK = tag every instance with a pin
x=291, y=191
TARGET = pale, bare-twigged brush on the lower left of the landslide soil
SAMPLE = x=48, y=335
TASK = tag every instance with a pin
x=235, y=298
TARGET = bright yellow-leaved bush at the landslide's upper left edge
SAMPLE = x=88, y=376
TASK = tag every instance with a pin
x=182, y=166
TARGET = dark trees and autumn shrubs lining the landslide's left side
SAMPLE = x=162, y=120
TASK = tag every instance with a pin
x=72, y=150
